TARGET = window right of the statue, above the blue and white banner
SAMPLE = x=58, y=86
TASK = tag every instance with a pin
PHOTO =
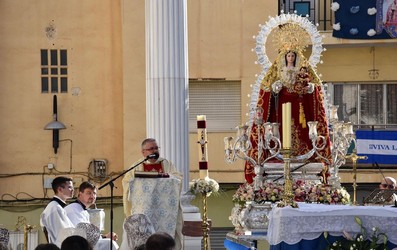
x=362, y=103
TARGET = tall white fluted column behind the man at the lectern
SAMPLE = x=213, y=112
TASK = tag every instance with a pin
x=167, y=99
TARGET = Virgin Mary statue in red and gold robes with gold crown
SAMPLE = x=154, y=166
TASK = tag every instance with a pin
x=291, y=79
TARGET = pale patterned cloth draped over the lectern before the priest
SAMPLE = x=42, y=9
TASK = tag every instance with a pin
x=158, y=199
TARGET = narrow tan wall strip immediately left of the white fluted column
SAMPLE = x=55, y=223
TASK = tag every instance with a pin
x=134, y=79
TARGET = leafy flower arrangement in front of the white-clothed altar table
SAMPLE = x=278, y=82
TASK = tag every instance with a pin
x=362, y=241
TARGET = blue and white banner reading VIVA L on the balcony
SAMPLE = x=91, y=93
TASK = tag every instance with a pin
x=380, y=146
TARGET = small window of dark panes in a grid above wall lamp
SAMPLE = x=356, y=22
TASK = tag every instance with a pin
x=54, y=71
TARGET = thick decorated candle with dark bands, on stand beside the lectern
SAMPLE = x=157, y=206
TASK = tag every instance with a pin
x=202, y=146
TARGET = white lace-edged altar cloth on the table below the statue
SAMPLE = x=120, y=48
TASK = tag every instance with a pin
x=309, y=221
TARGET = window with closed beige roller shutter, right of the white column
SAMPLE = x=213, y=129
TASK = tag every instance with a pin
x=219, y=100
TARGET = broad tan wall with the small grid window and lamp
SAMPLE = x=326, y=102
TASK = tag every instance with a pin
x=90, y=31
